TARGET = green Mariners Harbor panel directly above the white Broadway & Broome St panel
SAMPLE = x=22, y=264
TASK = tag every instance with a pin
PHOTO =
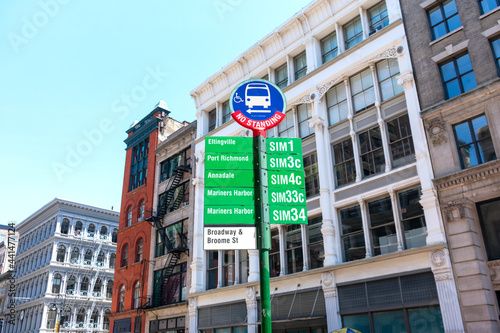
x=229, y=215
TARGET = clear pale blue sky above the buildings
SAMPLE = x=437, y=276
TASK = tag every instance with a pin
x=75, y=74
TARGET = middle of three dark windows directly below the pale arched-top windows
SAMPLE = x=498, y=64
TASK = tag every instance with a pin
x=372, y=153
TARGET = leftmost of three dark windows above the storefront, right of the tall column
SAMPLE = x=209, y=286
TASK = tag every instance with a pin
x=353, y=240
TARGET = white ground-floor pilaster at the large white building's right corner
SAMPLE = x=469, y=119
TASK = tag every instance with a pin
x=447, y=292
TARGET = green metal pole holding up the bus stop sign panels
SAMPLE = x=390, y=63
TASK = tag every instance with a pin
x=263, y=228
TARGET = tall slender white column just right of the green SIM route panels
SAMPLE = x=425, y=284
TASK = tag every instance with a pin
x=327, y=228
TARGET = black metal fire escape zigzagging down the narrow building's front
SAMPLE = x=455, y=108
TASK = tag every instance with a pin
x=171, y=201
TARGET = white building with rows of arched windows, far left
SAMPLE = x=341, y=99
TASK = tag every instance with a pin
x=65, y=266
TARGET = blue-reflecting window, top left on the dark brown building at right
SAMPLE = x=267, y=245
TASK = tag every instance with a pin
x=443, y=18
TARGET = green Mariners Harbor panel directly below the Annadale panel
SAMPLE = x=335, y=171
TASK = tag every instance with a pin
x=229, y=196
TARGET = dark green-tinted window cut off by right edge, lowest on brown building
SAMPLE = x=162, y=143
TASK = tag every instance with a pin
x=489, y=218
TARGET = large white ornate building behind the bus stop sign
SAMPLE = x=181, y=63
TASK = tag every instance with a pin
x=374, y=254
